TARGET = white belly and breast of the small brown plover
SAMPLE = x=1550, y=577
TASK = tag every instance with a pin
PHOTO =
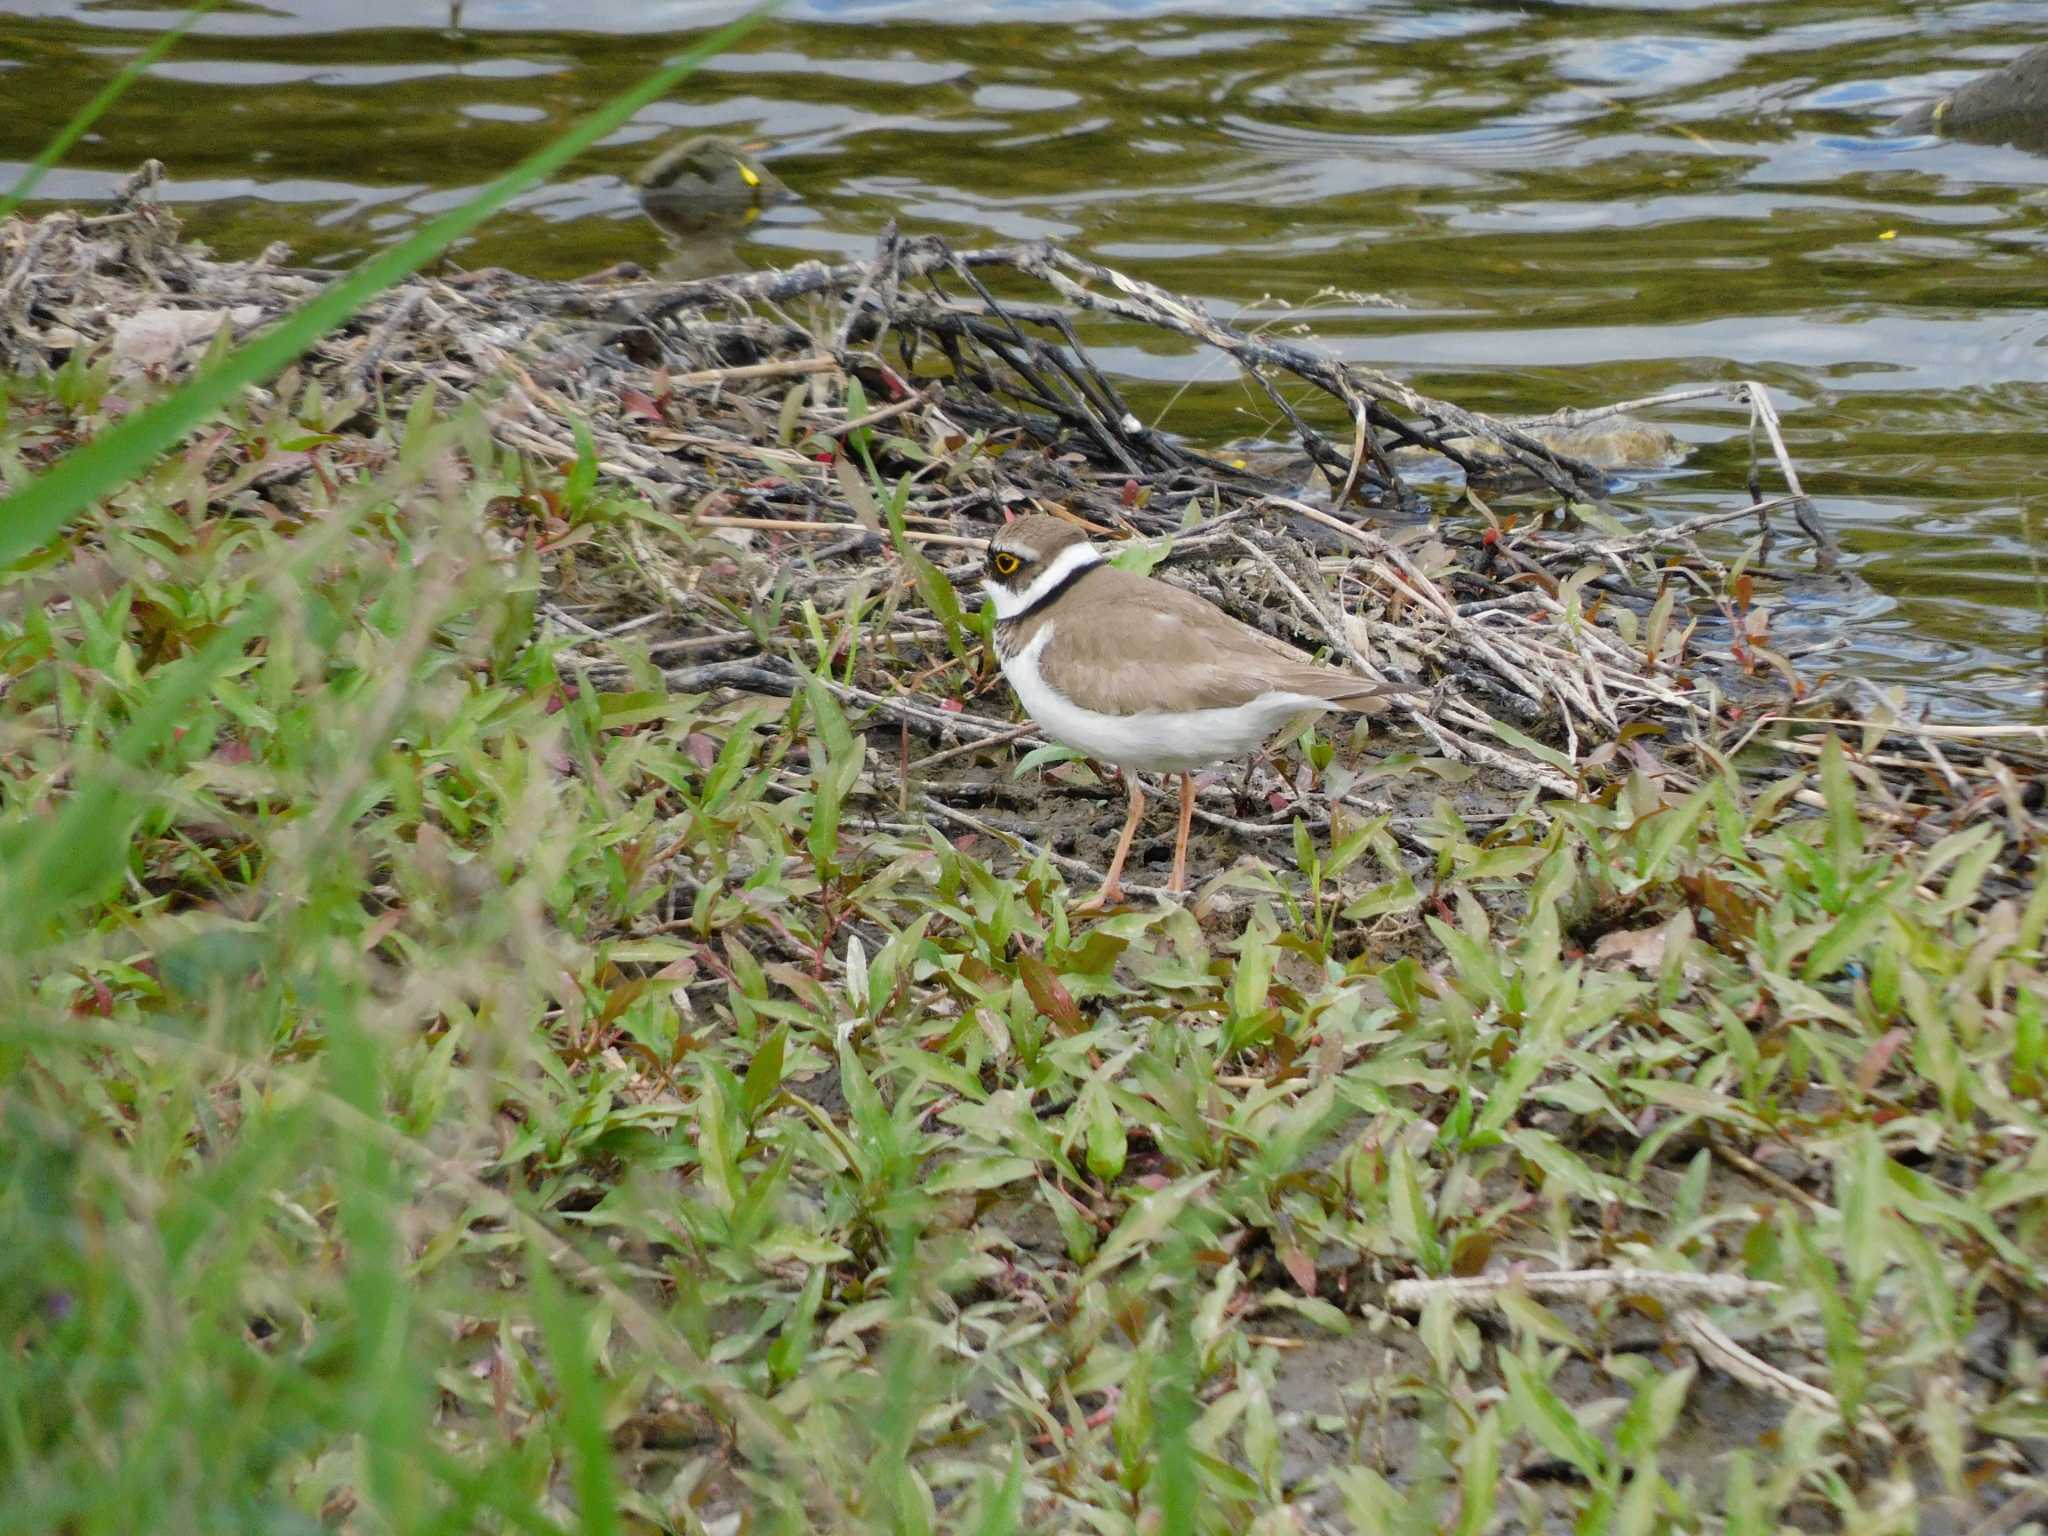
x=1154, y=740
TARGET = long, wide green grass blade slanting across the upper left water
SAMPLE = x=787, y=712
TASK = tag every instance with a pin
x=75, y=482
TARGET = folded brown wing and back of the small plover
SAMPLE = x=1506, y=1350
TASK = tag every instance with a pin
x=1156, y=646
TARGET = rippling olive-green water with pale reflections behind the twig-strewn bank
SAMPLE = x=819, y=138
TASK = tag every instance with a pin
x=1519, y=206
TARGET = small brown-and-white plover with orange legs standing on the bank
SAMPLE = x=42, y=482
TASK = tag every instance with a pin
x=1142, y=675
